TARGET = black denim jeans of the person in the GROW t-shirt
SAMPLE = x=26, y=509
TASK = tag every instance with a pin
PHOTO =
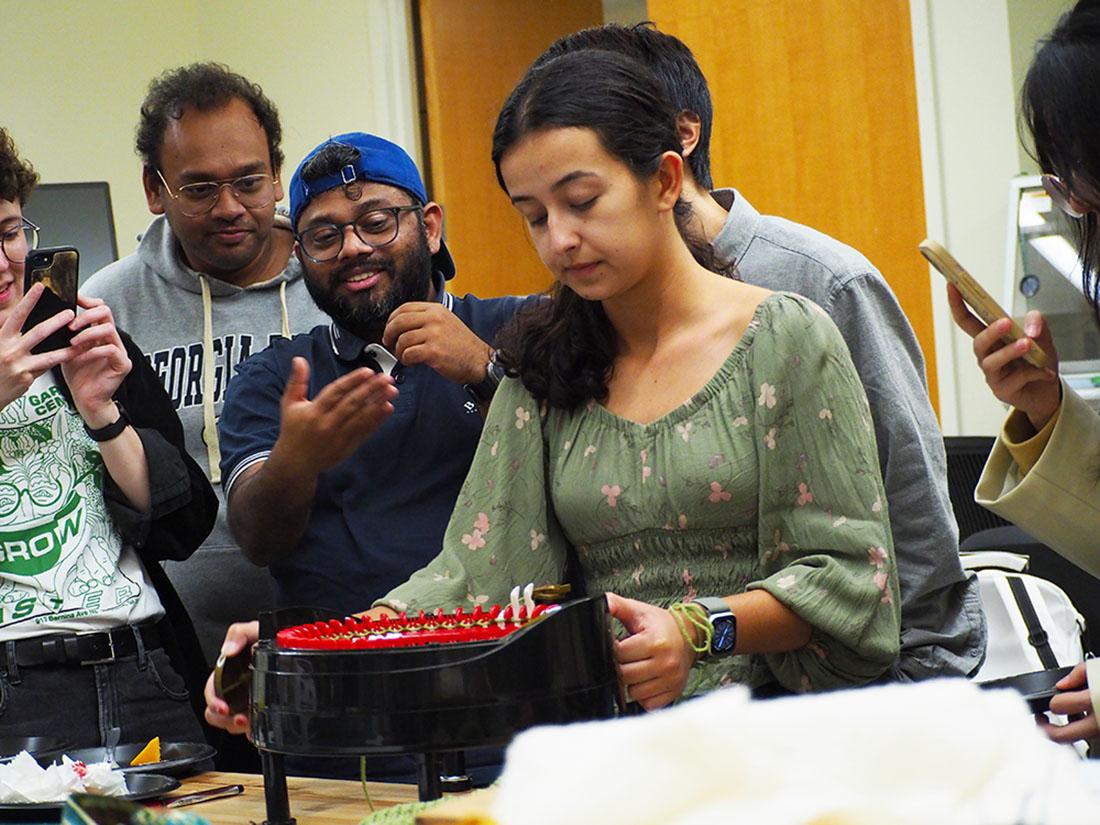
x=80, y=703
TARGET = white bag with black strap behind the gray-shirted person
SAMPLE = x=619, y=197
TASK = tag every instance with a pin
x=1032, y=623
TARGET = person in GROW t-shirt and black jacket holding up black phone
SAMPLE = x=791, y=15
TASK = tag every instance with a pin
x=95, y=488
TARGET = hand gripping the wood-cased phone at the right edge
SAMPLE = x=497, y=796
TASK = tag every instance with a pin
x=1035, y=391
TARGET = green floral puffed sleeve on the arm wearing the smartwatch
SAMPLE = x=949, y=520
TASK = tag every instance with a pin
x=824, y=538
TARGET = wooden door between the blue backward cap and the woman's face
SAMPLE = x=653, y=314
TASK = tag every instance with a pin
x=475, y=52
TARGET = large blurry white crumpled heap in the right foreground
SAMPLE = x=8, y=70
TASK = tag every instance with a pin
x=942, y=752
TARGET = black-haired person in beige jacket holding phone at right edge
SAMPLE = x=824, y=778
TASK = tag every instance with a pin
x=1044, y=471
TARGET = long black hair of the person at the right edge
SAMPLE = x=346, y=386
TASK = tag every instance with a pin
x=1061, y=107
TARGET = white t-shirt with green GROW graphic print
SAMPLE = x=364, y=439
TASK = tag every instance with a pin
x=63, y=568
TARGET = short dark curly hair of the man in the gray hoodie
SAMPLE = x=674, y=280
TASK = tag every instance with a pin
x=202, y=86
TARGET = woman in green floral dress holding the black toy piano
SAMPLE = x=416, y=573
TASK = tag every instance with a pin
x=686, y=434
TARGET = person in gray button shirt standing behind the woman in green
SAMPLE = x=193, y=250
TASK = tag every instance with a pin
x=943, y=625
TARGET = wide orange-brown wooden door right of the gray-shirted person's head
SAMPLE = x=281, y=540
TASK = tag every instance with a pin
x=816, y=120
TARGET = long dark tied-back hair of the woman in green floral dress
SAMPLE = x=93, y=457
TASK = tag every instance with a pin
x=565, y=349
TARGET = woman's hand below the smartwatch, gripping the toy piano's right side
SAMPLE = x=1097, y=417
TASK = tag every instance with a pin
x=655, y=661
